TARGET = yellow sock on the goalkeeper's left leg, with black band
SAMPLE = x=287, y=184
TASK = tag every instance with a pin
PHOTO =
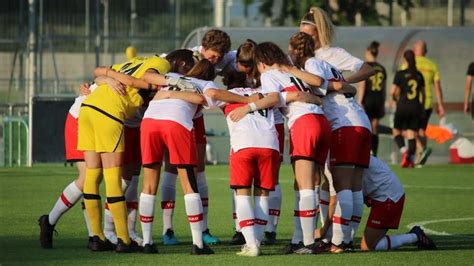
x=92, y=200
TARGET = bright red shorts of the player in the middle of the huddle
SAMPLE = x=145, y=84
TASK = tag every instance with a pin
x=254, y=165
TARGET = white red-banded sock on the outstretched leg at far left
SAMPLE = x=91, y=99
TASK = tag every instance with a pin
x=71, y=194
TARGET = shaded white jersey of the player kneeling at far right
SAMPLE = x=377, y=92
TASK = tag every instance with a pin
x=380, y=183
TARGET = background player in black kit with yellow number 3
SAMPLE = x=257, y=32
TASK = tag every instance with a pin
x=408, y=92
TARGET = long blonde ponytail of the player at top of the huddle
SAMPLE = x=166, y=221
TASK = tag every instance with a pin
x=320, y=19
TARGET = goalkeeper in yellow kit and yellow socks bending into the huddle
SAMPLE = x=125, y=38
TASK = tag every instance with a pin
x=101, y=126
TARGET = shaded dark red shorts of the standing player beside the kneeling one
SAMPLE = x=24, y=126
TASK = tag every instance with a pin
x=350, y=146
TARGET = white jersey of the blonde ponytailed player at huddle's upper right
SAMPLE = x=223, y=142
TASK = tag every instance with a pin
x=339, y=58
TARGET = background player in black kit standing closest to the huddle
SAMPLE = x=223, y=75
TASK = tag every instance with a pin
x=372, y=92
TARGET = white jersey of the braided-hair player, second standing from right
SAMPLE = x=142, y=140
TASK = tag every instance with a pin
x=276, y=81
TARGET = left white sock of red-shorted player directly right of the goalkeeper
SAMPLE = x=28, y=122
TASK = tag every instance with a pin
x=147, y=210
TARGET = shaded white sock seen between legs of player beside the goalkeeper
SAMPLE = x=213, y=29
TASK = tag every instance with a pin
x=168, y=197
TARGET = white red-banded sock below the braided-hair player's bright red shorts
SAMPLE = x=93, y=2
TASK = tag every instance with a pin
x=307, y=214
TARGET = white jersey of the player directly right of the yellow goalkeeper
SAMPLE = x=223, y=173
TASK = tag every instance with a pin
x=177, y=110
